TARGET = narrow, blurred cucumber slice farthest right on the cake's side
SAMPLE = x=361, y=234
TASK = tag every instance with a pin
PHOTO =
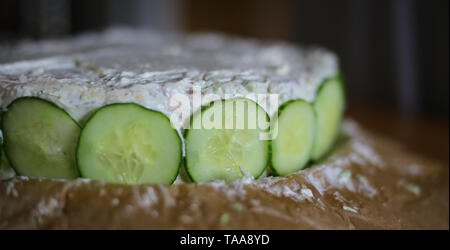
x=329, y=107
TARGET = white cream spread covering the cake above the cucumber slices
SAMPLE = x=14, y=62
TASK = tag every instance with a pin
x=151, y=68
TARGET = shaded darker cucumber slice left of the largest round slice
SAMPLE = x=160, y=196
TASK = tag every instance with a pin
x=40, y=139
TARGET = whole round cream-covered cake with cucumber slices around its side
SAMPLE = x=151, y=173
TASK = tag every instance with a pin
x=175, y=74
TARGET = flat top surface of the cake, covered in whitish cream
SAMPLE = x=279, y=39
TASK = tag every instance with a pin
x=116, y=55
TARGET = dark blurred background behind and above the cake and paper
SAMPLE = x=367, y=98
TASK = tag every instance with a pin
x=394, y=53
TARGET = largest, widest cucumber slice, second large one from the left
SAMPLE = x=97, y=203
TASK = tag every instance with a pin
x=127, y=143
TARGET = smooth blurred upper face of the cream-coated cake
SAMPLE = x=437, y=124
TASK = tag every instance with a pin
x=140, y=51
